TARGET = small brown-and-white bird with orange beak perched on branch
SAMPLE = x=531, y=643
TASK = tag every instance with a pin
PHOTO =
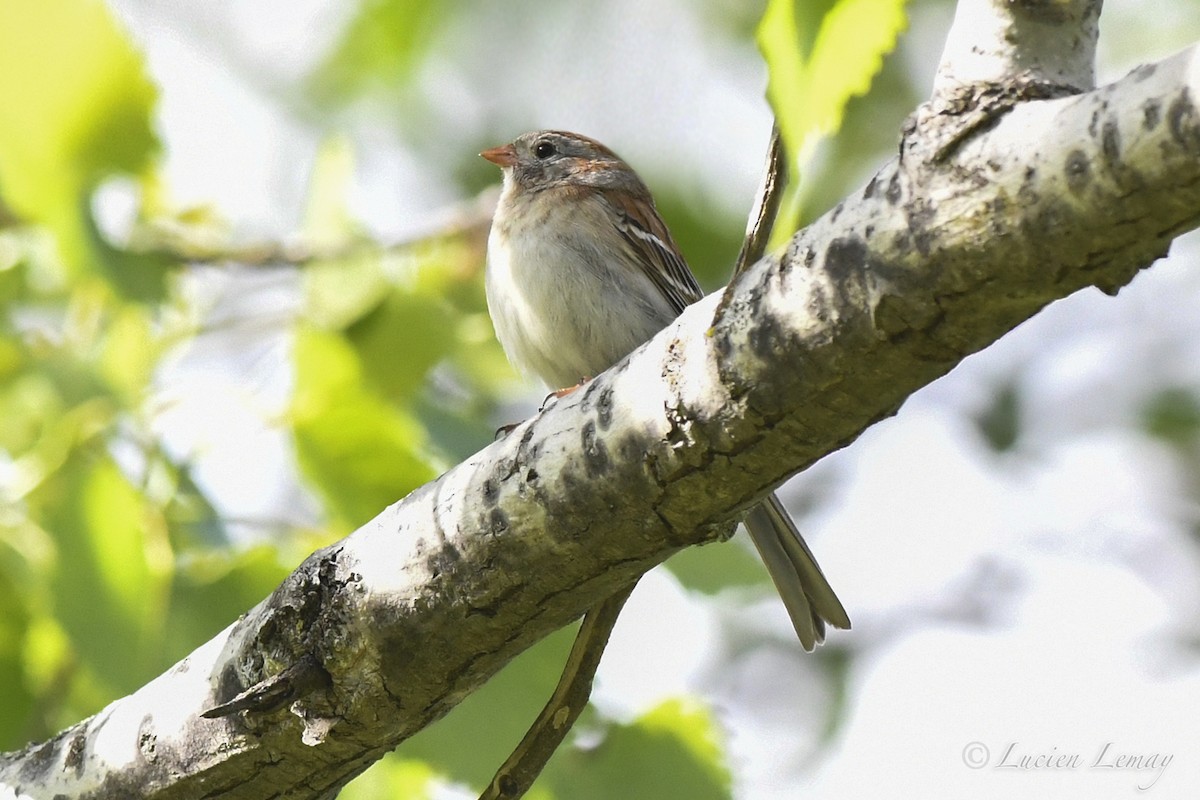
x=581, y=270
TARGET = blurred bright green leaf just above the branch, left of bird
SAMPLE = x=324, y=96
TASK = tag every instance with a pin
x=361, y=453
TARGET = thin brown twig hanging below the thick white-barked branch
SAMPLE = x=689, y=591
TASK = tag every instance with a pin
x=523, y=768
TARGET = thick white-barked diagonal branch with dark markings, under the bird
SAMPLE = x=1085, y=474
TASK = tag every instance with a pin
x=941, y=254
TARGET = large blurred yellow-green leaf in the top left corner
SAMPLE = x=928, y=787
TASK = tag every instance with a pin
x=77, y=106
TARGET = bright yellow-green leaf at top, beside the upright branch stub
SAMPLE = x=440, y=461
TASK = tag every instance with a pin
x=809, y=88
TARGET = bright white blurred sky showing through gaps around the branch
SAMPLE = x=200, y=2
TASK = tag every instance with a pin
x=1043, y=599
